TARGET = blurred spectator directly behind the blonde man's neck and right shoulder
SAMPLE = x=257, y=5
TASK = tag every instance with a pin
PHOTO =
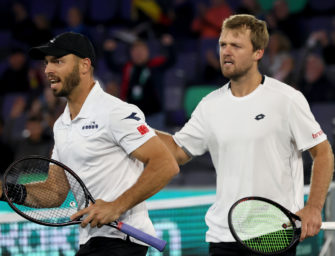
x=277, y=60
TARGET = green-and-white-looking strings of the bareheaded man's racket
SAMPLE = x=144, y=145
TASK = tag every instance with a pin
x=262, y=226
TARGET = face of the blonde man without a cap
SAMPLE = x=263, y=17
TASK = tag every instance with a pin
x=237, y=56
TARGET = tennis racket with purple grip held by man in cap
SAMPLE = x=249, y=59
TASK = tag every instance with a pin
x=52, y=192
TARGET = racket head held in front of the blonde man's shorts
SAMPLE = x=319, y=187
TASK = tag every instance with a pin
x=263, y=226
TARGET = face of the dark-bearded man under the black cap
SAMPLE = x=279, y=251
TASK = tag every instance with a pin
x=63, y=74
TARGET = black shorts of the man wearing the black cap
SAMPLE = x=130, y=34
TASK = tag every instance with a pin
x=105, y=246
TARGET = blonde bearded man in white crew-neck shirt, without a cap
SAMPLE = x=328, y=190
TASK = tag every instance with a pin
x=255, y=128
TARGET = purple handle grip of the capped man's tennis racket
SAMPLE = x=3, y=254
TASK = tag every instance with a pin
x=142, y=236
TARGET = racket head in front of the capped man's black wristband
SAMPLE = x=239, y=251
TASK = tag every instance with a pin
x=36, y=169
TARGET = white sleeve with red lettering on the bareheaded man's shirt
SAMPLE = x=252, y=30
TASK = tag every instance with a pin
x=305, y=130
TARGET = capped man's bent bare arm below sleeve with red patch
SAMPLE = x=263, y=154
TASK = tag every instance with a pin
x=160, y=167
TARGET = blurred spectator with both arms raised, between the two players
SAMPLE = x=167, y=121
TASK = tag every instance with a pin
x=142, y=76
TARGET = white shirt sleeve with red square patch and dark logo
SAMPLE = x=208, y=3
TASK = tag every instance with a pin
x=129, y=128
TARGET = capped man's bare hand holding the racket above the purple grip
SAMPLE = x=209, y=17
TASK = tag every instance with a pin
x=98, y=214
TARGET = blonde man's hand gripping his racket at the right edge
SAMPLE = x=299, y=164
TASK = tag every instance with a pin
x=311, y=221
